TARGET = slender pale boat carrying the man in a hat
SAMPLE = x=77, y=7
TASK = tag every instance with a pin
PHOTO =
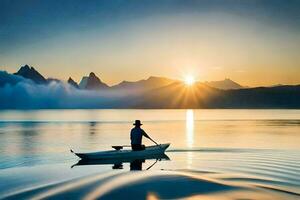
x=119, y=154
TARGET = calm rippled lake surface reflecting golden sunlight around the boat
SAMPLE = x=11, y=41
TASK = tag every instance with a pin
x=214, y=154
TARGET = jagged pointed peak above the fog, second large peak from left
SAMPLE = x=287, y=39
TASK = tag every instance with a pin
x=92, y=82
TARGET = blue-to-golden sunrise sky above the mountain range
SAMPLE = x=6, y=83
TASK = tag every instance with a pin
x=253, y=42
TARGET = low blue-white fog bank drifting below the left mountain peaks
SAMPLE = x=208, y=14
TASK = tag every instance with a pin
x=19, y=93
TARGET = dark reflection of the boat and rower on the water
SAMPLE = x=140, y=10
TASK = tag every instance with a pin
x=135, y=164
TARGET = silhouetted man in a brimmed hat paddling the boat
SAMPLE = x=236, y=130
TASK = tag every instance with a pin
x=136, y=135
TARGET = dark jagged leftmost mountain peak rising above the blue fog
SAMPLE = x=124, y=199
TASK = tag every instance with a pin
x=31, y=73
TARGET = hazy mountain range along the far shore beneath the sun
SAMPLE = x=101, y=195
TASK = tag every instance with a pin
x=160, y=92
